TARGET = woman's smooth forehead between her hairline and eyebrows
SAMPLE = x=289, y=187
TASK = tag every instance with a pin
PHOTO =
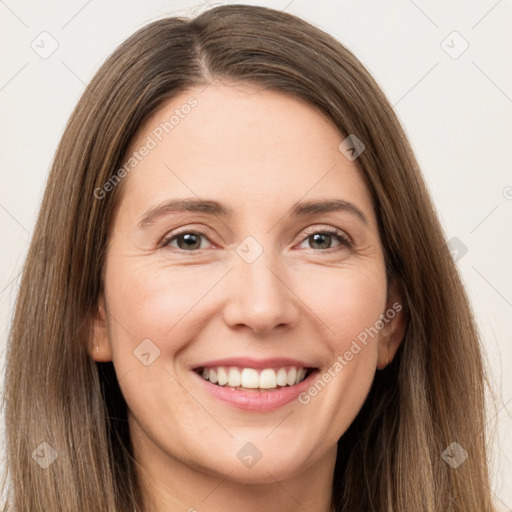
x=245, y=145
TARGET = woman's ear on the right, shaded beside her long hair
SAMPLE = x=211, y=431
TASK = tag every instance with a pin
x=393, y=330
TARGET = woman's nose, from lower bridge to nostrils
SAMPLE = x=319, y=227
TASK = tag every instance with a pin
x=260, y=297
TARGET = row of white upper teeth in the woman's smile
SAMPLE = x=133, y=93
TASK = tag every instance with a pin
x=251, y=378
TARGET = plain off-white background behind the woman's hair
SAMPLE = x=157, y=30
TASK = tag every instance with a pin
x=456, y=110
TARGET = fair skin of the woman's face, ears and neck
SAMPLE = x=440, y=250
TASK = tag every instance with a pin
x=258, y=152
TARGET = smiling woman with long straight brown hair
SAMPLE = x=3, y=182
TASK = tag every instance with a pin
x=180, y=340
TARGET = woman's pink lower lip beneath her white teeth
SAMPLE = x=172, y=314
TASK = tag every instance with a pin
x=256, y=400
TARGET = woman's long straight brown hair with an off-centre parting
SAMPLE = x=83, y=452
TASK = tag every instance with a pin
x=429, y=397
